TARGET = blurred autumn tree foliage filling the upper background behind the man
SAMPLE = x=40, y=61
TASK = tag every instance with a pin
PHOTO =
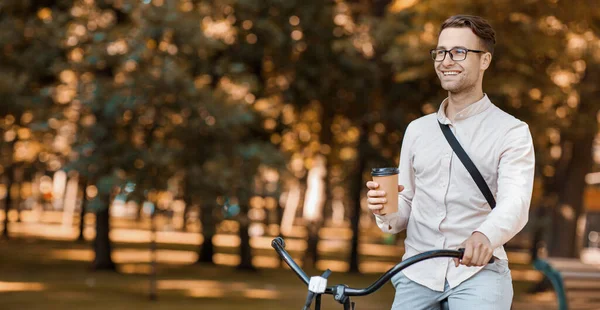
x=207, y=93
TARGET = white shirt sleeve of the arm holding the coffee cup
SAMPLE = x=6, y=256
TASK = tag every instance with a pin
x=396, y=222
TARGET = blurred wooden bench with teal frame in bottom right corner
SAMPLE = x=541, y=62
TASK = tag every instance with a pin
x=577, y=284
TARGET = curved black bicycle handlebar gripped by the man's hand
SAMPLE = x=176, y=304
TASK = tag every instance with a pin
x=279, y=245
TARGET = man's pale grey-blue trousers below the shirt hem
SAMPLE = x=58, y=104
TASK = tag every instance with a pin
x=489, y=289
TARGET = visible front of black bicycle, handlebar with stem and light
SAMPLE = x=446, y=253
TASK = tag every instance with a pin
x=341, y=292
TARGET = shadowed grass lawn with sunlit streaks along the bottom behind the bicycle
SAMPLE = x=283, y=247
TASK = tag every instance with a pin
x=32, y=277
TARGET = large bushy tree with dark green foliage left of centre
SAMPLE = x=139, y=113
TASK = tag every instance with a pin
x=155, y=96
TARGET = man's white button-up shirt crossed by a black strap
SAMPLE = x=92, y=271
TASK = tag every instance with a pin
x=441, y=206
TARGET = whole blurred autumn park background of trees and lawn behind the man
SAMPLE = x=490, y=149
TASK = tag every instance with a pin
x=154, y=148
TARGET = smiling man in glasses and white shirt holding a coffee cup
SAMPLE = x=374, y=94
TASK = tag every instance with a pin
x=440, y=205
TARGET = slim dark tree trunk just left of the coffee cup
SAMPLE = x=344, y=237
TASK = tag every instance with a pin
x=357, y=186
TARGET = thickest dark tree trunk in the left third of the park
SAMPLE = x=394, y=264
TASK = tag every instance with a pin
x=102, y=244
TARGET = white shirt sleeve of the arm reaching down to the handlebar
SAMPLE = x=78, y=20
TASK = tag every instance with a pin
x=515, y=186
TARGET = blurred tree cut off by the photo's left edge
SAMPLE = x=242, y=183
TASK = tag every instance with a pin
x=29, y=50
